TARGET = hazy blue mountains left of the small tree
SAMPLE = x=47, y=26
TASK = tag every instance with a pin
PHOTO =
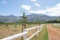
x=10, y=18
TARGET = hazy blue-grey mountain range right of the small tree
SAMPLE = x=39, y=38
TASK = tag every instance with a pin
x=41, y=17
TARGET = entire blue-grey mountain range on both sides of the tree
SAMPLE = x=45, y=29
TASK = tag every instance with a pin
x=32, y=17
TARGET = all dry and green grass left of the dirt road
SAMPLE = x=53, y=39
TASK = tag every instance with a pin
x=9, y=30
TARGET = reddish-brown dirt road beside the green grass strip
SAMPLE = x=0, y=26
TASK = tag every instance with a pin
x=53, y=33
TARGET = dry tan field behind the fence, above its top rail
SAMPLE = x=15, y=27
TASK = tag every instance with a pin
x=9, y=30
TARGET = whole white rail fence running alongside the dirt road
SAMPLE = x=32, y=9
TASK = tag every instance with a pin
x=13, y=37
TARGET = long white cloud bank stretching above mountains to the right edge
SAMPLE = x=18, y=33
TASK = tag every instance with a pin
x=54, y=11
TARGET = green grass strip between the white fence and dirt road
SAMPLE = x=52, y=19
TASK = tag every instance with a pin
x=43, y=35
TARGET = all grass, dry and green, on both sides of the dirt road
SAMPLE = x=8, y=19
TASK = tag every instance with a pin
x=10, y=30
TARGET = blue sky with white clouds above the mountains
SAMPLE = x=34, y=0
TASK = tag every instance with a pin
x=17, y=7
